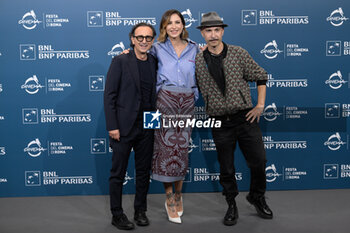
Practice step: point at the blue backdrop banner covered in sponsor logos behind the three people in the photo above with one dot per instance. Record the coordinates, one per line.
(54, 56)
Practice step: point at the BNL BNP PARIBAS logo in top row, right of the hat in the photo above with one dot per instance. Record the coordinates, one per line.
(267, 17)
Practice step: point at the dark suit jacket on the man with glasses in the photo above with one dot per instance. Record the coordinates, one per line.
(122, 95)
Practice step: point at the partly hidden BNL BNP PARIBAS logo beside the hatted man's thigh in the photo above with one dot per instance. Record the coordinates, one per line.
(269, 144)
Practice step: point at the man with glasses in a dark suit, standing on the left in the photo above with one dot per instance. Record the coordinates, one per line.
(130, 90)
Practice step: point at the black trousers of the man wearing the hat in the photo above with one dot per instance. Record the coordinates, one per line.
(248, 135)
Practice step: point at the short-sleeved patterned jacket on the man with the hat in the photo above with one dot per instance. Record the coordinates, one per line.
(239, 68)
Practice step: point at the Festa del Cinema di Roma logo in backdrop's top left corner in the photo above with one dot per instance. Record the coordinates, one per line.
(29, 20)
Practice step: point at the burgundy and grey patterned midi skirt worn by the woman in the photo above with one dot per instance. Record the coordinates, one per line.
(170, 156)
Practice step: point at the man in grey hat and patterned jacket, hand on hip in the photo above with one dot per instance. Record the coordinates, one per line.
(223, 72)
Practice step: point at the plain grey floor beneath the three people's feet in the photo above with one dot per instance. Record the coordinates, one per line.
(294, 211)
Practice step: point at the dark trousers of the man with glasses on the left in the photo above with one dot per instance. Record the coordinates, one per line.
(142, 141)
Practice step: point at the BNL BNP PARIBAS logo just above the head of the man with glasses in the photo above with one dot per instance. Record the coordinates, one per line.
(114, 19)
